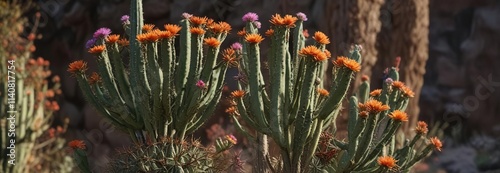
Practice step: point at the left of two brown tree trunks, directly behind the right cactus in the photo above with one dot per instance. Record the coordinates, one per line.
(353, 22)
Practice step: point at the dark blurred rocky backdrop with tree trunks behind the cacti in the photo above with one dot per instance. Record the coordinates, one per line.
(449, 51)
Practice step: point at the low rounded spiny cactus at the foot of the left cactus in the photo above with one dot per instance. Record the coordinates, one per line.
(170, 155)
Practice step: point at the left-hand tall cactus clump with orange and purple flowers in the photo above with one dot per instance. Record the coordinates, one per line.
(164, 92)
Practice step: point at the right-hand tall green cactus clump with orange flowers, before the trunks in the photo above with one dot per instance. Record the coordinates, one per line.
(294, 109)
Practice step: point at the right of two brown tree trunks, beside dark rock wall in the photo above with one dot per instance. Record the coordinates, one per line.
(410, 40)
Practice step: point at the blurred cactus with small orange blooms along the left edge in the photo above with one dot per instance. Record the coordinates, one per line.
(38, 146)
